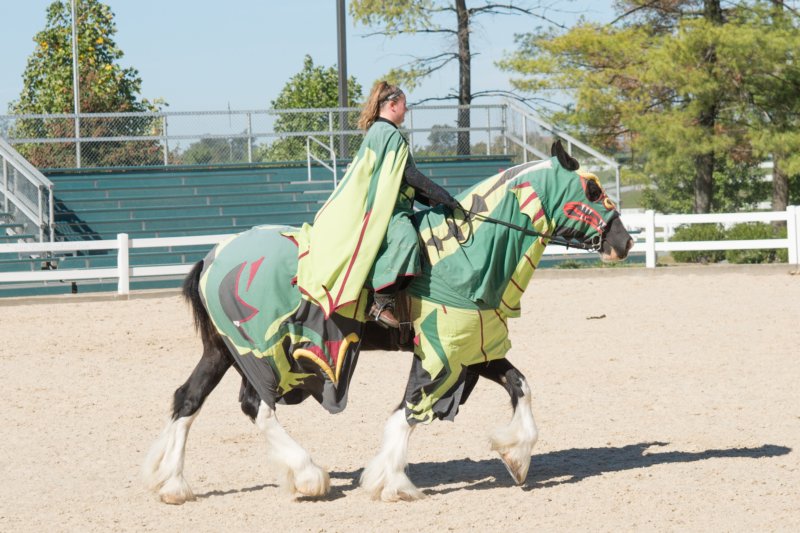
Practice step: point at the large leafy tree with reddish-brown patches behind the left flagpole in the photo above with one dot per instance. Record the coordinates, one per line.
(104, 86)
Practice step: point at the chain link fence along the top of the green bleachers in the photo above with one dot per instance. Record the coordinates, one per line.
(225, 137)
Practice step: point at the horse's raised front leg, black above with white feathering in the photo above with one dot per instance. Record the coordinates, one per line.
(514, 441)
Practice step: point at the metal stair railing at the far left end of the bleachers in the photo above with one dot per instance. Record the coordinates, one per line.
(26, 193)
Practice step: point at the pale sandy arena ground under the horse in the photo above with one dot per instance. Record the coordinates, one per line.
(678, 410)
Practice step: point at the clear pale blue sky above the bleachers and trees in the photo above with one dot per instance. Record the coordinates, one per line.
(201, 55)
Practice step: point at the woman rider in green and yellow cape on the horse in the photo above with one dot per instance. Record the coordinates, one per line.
(363, 235)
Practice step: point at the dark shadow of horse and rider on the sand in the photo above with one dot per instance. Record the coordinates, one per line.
(547, 470)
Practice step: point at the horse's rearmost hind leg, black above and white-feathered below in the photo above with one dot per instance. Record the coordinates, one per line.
(162, 470)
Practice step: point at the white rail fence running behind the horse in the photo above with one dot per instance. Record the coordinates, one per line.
(645, 227)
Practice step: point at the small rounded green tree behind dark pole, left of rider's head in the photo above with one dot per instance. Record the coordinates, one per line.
(312, 88)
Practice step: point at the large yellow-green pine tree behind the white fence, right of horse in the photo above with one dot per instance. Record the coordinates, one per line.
(670, 79)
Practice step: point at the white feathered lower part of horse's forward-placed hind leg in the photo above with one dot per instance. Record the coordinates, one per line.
(303, 476)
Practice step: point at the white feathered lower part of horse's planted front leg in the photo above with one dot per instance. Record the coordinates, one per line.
(384, 477)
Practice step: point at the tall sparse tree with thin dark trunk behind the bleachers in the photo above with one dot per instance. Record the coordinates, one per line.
(450, 18)
